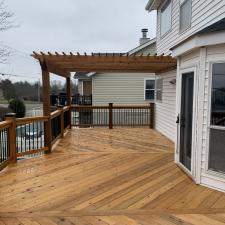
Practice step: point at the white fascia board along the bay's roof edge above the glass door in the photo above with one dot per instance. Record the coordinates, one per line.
(199, 41)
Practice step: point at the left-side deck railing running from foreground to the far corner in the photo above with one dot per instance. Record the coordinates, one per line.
(27, 137)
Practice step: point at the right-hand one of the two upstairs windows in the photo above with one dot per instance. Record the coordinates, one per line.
(185, 15)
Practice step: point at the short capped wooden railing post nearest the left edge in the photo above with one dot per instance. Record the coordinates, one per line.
(12, 136)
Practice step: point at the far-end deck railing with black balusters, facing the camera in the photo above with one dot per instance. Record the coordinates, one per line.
(111, 116)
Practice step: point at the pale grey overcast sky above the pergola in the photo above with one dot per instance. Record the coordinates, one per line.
(72, 25)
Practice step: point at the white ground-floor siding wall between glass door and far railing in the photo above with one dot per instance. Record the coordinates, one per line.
(165, 119)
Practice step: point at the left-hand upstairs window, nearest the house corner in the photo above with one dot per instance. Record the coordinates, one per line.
(166, 17)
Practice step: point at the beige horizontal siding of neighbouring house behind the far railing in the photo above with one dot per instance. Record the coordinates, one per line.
(120, 88)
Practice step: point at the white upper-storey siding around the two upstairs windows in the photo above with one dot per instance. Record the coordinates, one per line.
(204, 13)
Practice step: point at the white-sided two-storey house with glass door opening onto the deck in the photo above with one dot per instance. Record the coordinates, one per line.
(193, 31)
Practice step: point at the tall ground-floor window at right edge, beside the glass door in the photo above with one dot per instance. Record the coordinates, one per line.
(217, 128)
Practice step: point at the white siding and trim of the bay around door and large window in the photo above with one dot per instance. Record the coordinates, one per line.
(201, 59)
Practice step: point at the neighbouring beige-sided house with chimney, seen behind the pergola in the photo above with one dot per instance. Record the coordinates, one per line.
(121, 88)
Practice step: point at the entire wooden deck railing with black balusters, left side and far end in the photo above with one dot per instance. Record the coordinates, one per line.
(33, 136)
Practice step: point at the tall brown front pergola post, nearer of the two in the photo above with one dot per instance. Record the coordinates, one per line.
(46, 104)
